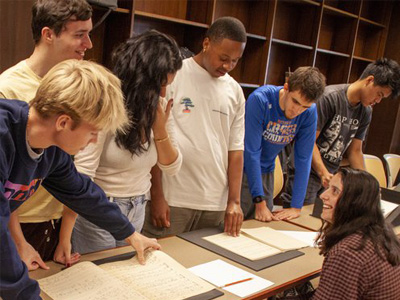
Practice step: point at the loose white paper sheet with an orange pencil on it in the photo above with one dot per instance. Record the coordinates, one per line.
(220, 273)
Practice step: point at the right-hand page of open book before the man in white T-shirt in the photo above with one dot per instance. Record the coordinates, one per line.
(274, 238)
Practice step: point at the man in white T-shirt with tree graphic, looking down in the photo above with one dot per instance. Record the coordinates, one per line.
(209, 117)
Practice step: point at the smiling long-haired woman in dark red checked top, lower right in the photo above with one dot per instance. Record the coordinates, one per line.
(362, 253)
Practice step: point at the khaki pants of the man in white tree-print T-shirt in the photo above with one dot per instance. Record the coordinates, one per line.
(182, 220)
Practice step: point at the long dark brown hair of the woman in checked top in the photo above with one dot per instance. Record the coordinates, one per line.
(358, 211)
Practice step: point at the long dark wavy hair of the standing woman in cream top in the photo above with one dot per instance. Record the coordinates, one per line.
(143, 63)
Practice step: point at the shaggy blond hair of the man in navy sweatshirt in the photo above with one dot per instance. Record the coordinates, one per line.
(85, 91)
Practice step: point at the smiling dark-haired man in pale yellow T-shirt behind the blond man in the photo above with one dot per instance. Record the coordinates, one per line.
(60, 31)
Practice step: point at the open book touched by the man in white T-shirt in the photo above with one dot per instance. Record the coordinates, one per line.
(256, 243)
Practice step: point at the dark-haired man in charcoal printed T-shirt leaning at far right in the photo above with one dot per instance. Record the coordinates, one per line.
(344, 114)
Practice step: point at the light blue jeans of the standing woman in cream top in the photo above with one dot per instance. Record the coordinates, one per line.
(88, 237)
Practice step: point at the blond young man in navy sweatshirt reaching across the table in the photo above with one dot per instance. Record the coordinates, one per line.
(74, 101)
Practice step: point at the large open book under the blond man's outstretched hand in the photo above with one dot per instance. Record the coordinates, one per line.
(161, 278)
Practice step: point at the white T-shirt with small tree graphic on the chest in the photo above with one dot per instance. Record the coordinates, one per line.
(209, 122)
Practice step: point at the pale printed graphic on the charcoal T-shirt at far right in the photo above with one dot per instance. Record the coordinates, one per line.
(332, 143)
